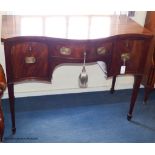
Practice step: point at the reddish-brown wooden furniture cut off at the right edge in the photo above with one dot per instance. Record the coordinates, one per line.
(149, 74)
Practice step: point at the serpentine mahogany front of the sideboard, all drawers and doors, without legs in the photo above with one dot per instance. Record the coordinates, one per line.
(37, 57)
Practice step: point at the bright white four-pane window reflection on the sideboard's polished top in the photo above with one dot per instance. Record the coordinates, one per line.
(71, 27)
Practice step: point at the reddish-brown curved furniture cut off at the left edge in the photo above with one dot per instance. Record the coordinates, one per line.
(2, 88)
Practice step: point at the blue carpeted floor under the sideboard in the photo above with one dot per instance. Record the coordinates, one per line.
(95, 117)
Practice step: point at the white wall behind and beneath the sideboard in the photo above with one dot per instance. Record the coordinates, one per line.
(65, 78)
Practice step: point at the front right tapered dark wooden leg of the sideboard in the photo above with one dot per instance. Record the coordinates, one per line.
(135, 90)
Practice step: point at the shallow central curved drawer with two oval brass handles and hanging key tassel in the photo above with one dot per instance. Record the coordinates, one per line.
(75, 49)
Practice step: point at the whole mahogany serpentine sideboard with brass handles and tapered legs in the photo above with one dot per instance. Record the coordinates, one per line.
(124, 50)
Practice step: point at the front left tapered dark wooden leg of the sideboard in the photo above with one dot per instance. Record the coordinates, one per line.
(12, 106)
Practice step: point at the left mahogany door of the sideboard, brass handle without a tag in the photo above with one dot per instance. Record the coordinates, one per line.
(29, 60)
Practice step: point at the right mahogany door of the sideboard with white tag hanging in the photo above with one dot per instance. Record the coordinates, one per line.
(130, 53)
